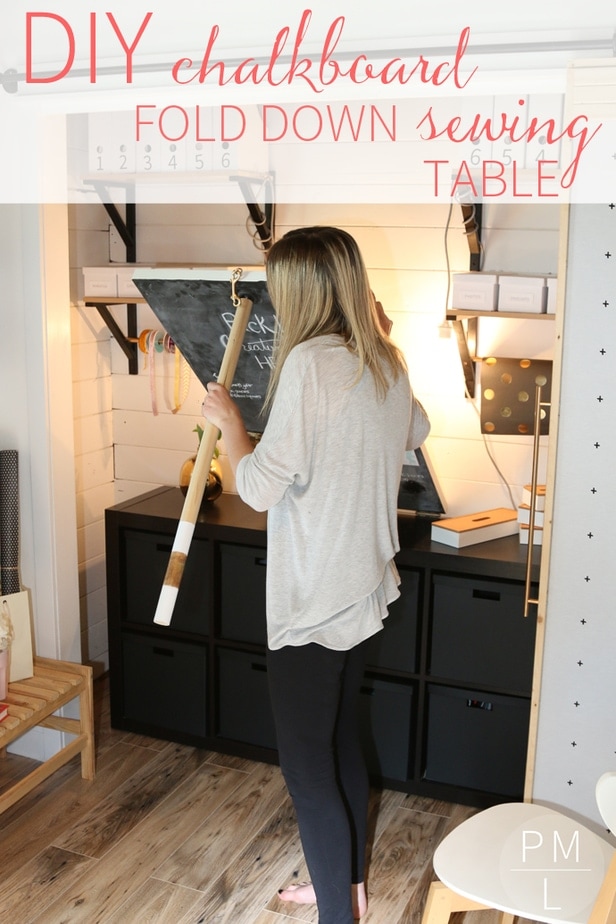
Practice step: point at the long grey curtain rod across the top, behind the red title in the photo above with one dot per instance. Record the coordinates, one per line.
(11, 78)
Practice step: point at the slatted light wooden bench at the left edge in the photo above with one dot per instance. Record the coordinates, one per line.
(32, 702)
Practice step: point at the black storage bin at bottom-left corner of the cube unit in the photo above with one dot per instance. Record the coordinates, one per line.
(165, 683)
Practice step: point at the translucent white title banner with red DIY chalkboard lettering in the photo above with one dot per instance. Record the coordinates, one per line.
(323, 103)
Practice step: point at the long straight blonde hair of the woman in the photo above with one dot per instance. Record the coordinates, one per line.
(318, 284)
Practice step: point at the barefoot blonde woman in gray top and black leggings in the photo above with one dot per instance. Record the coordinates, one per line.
(327, 469)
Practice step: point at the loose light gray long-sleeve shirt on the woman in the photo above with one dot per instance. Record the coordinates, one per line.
(327, 470)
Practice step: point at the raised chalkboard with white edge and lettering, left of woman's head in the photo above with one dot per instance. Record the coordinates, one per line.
(195, 308)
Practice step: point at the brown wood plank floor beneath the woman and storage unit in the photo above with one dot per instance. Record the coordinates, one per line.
(168, 834)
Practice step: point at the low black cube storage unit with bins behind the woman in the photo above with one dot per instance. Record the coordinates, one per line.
(445, 701)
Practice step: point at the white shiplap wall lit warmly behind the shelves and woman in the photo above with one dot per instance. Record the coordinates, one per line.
(404, 249)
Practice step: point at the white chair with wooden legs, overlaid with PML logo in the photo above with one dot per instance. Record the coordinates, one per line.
(528, 861)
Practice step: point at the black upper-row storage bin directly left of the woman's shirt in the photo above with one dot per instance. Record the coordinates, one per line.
(242, 593)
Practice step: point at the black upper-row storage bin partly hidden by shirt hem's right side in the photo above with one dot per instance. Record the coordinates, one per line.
(395, 647)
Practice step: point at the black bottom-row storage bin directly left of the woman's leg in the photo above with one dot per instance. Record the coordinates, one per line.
(244, 711)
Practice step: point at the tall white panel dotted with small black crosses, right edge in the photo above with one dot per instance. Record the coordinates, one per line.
(576, 740)
